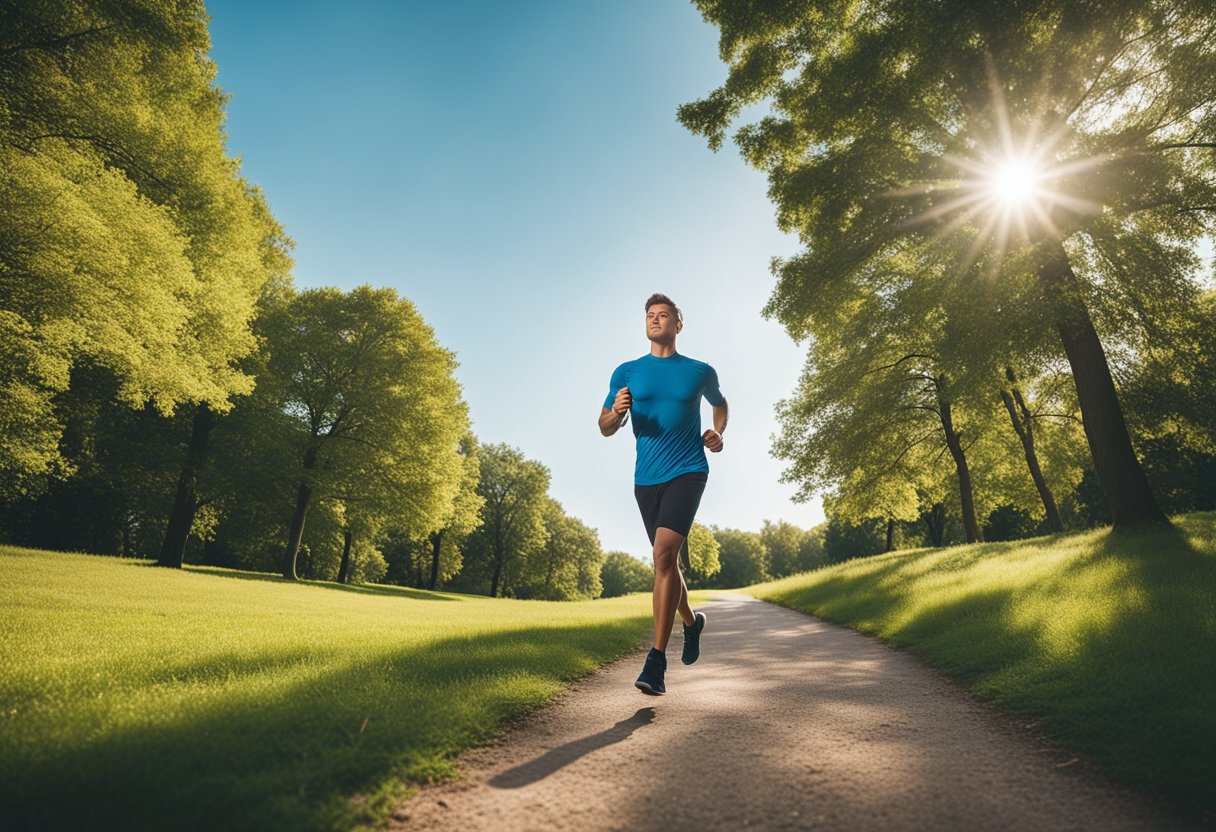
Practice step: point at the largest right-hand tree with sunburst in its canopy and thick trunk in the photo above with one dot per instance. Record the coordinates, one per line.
(886, 131)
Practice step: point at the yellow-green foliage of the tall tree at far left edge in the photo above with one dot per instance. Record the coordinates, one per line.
(128, 239)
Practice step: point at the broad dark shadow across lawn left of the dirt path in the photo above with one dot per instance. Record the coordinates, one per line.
(284, 755)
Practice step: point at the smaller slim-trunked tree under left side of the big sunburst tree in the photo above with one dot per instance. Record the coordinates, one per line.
(876, 412)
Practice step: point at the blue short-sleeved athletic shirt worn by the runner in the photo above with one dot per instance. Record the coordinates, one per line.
(667, 414)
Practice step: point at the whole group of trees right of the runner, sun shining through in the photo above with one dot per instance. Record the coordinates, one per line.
(979, 367)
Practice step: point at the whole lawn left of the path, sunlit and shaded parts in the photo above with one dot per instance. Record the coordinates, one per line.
(134, 698)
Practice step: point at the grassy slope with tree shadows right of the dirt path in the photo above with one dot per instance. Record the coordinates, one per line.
(1110, 642)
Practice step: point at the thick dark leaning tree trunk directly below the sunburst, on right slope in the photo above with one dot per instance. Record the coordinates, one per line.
(1114, 460)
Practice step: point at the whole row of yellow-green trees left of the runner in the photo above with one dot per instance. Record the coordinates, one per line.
(166, 391)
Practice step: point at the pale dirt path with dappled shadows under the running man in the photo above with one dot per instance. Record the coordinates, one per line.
(787, 723)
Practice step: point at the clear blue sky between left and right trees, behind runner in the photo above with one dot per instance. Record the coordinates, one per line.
(516, 170)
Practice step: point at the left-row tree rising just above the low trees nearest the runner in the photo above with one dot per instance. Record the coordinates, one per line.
(514, 531)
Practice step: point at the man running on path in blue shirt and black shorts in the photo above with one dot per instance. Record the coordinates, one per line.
(663, 391)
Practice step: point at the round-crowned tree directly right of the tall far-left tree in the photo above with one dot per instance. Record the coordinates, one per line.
(376, 409)
